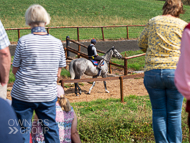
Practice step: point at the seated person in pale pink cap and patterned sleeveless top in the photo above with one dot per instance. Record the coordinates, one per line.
(65, 118)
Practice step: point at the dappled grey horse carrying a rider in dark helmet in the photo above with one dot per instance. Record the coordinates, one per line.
(81, 66)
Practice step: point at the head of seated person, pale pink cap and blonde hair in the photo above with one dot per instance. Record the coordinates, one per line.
(63, 102)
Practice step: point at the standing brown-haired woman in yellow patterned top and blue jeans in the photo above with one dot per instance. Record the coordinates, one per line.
(161, 40)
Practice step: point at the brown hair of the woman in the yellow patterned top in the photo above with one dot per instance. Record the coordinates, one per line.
(173, 7)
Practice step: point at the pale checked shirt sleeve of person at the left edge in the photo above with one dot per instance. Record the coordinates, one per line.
(4, 40)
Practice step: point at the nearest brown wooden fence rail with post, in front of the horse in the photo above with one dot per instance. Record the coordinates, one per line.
(121, 78)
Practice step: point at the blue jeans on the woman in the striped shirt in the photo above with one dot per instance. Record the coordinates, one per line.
(46, 112)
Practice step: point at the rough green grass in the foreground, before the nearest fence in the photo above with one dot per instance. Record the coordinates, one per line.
(111, 121)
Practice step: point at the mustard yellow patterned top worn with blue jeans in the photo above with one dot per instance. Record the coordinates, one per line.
(161, 40)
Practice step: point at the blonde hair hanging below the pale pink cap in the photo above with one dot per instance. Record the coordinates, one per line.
(64, 103)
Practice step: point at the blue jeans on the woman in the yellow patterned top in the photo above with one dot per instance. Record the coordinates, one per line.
(166, 104)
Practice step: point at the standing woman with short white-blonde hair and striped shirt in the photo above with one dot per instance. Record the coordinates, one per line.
(38, 60)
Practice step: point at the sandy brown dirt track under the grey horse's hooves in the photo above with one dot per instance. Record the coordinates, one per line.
(131, 87)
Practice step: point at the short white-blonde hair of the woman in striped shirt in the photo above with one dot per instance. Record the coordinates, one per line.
(37, 14)
